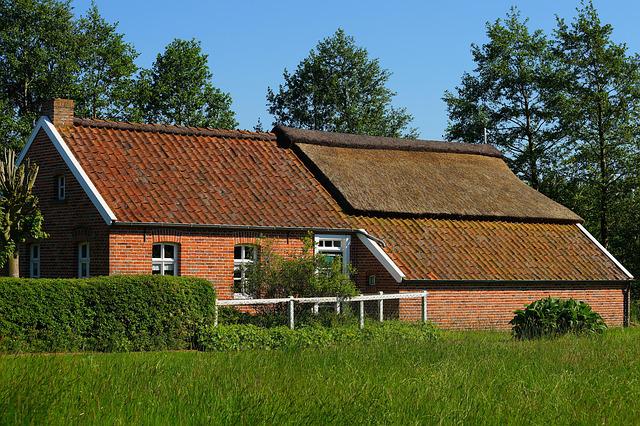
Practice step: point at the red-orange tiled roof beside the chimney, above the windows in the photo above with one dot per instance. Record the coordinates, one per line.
(169, 174)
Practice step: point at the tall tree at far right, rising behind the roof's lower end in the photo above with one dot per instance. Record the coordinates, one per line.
(600, 113)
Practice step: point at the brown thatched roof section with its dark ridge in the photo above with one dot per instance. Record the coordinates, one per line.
(410, 177)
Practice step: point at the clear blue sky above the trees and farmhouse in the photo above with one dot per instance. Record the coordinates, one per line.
(425, 44)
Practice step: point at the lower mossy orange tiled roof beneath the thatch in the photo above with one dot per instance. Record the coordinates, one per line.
(490, 250)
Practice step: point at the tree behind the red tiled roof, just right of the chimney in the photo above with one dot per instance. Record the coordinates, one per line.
(178, 90)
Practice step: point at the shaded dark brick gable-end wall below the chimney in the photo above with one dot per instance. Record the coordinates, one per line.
(67, 222)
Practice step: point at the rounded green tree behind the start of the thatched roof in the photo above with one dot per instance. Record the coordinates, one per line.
(339, 88)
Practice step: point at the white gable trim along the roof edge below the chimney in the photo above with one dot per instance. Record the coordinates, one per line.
(73, 164)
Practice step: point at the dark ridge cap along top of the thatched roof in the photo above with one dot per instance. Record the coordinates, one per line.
(289, 135)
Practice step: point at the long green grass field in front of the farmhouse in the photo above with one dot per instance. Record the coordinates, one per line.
(470, 377)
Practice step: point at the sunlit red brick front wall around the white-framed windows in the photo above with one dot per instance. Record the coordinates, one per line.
(202, 253)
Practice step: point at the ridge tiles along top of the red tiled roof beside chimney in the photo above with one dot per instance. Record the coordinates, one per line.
(173, 129)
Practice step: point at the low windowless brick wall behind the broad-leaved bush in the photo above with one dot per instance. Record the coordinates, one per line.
(467, 306)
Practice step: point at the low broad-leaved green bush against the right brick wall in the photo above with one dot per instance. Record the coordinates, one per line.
(551, 317)
